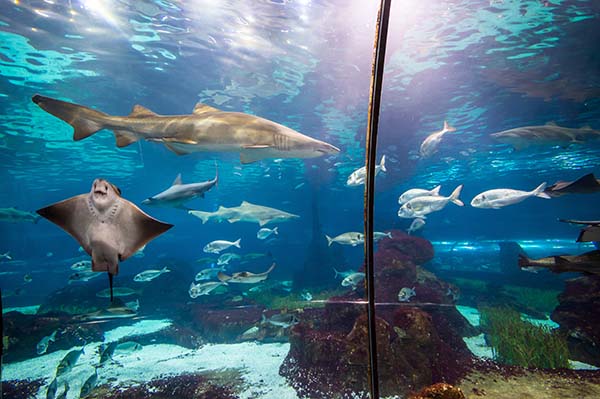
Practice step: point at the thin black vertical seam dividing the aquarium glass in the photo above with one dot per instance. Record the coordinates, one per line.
(371, 152)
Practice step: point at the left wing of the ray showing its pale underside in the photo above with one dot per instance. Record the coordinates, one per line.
(73, 216)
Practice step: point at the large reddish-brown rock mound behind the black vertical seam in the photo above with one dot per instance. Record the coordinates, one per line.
(419, 340)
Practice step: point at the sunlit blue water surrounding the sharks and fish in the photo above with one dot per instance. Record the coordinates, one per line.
(482, 66)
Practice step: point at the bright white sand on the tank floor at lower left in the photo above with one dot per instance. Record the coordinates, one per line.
(259, 364)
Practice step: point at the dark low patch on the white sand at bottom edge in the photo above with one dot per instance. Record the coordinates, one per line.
(186, 386)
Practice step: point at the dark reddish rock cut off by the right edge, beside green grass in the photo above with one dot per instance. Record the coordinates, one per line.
(578, 314)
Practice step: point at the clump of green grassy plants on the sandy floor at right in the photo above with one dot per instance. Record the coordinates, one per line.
(520, 343)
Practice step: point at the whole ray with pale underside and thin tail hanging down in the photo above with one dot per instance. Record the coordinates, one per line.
(107, 226)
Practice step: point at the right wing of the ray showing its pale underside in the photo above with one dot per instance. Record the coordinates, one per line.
(136, 228)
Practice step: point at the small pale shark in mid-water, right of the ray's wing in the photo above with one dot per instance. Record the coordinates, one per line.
(245, 212)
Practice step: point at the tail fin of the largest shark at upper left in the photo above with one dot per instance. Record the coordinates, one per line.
(85, 121)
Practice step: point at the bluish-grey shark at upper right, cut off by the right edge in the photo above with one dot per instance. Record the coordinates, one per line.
(545, 135)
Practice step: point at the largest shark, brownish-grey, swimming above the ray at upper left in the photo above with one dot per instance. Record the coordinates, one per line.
(205, 129)
